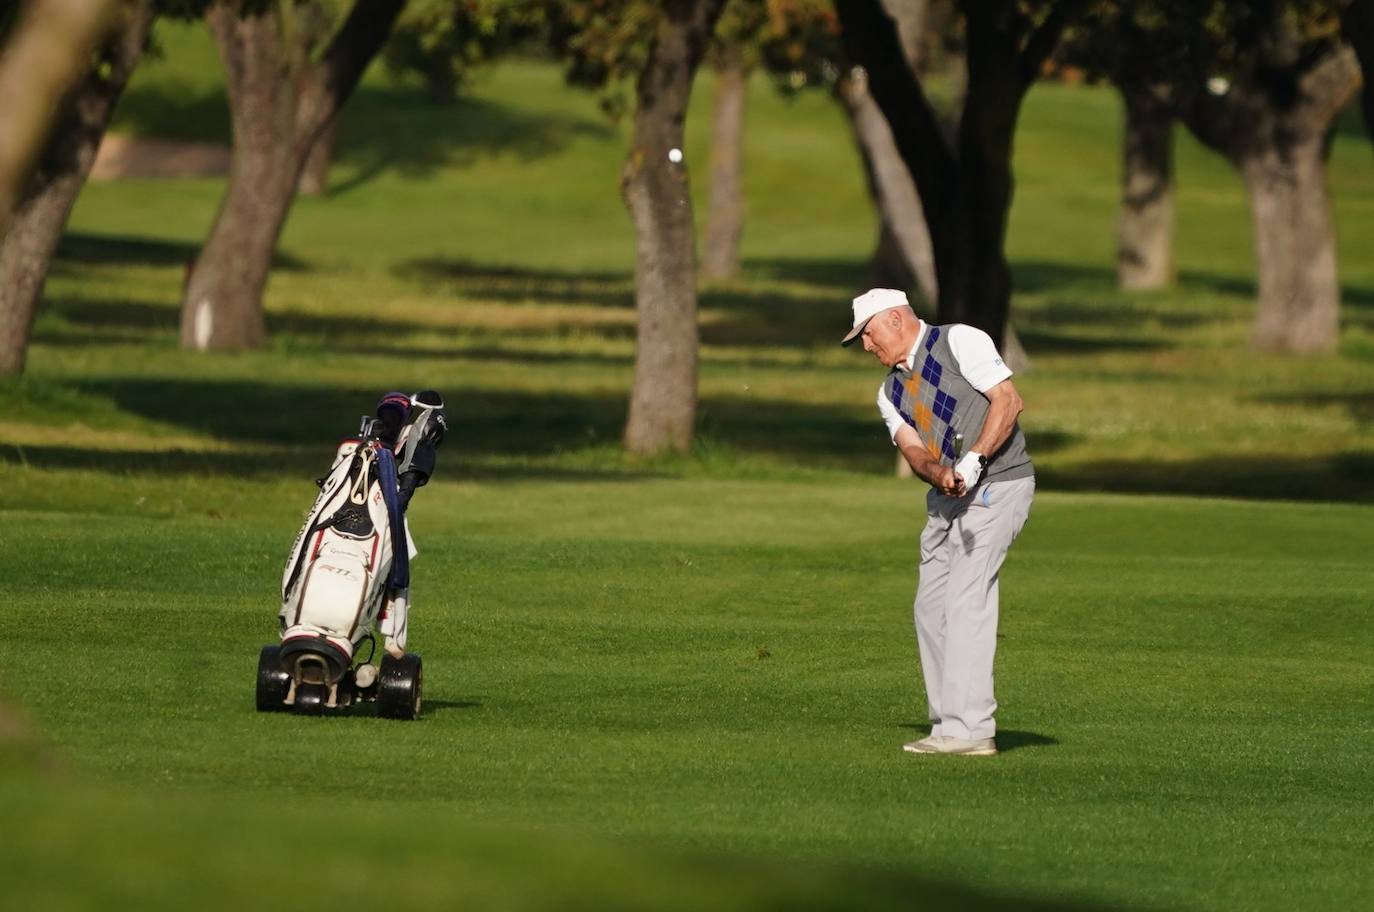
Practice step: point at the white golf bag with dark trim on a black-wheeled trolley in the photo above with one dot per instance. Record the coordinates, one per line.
(348, 576)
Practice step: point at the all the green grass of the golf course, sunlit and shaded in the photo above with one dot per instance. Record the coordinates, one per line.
(679, 683)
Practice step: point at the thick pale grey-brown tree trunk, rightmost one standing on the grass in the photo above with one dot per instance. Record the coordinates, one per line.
(1295, 248)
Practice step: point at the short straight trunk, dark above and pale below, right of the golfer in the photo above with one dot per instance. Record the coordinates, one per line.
(1145, 233)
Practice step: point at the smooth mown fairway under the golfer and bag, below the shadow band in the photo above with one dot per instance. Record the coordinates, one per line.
(708, 665)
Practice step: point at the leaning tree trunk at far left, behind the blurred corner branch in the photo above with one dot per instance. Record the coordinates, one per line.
(38, 222)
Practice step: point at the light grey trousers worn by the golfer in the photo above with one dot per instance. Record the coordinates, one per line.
(962, 549)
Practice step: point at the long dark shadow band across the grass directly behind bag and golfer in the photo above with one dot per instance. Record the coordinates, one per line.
(303, 424)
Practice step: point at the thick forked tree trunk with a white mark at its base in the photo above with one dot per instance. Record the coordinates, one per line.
(281, 102)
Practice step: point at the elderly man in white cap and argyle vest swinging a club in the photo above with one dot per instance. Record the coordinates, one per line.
(947, 385)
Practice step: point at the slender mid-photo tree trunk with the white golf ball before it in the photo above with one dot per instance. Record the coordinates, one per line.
(663, 404)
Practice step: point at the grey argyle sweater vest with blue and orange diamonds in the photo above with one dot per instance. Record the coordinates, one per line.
(938, 403)
